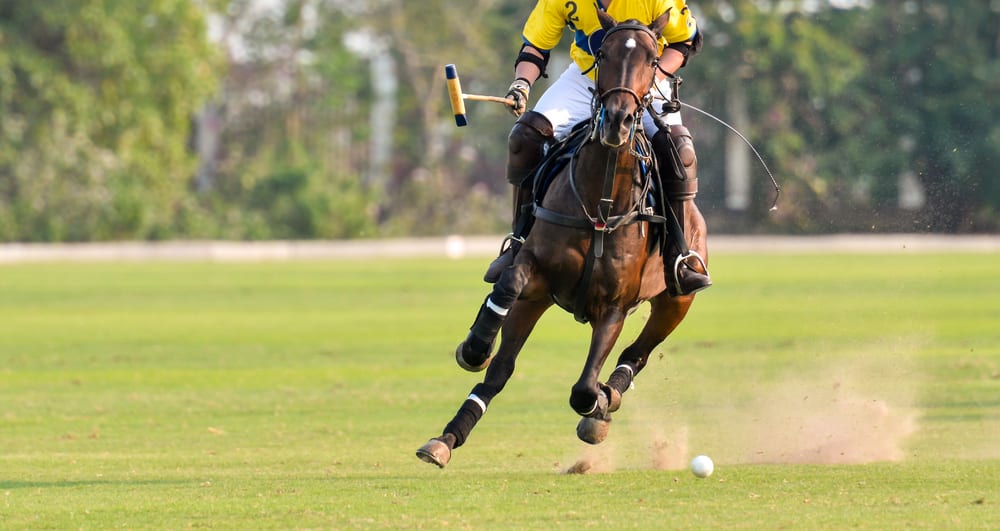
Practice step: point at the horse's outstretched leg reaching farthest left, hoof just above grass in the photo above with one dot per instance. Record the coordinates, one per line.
(522, 319)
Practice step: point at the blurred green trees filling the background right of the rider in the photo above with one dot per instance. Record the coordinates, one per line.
(844, 101)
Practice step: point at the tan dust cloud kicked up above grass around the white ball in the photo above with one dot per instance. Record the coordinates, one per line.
(849, 412)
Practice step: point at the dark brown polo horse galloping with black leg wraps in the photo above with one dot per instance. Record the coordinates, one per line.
(600, 266)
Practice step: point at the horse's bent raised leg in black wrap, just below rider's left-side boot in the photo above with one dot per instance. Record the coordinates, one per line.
(473, 354)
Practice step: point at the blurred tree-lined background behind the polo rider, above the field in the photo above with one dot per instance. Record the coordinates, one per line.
(329, 119)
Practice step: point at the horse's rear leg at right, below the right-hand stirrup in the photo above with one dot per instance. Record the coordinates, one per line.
(667, 312)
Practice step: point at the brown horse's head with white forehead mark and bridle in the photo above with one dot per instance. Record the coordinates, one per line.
(626, 71)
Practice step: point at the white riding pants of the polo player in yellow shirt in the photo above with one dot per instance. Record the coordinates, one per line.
(567, 102)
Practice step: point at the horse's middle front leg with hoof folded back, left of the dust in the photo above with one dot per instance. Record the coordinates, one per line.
(588, 397)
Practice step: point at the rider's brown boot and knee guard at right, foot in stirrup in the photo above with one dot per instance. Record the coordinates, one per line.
(678, 169)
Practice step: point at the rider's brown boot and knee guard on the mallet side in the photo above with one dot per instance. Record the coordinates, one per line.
(526, 147)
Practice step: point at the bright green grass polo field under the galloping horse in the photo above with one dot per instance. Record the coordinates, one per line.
(833, 391)
